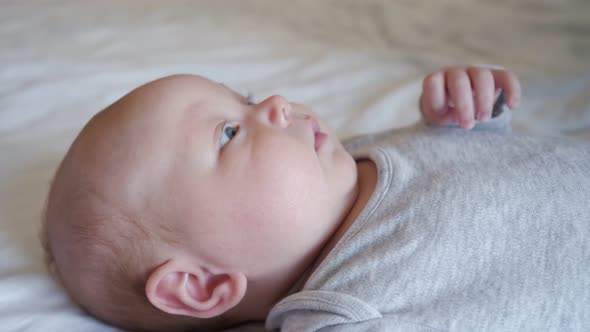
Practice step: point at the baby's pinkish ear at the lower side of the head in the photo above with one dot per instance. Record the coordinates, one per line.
(182, 289)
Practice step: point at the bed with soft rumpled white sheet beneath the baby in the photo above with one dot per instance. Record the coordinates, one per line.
(357, 63)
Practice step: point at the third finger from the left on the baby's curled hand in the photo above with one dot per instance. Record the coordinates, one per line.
(482, 81)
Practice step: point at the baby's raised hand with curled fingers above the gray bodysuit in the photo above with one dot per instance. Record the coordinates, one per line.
(465, 95)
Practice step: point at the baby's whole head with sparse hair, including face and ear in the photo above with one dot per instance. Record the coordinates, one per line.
(183, 204)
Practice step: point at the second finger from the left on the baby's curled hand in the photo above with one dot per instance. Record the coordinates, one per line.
(459, 88)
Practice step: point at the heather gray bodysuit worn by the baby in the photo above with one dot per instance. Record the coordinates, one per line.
(466, 231)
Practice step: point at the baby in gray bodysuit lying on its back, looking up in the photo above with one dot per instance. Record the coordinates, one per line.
(185, 205)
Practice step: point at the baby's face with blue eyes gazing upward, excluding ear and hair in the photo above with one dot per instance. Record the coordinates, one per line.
(260, 185)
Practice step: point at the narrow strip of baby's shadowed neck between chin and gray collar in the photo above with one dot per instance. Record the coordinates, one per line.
(367, 180)
